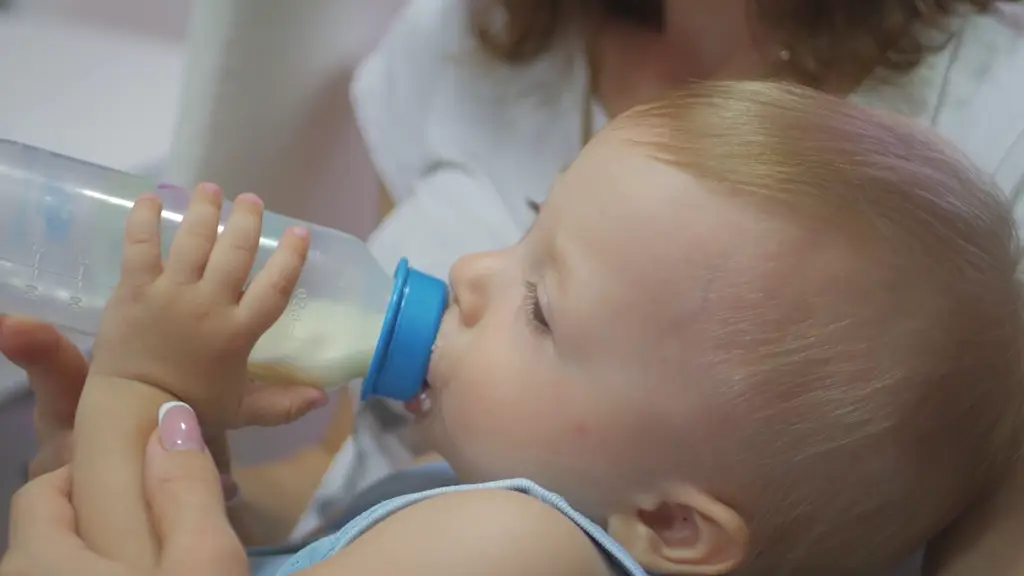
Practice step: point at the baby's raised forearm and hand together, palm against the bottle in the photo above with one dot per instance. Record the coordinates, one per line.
(183, 331)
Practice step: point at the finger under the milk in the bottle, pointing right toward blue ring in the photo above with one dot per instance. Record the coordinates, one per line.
(274, 405)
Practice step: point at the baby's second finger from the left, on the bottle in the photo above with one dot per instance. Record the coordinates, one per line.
(196, 237)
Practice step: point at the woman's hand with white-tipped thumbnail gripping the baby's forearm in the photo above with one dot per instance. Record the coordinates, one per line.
(187, 507)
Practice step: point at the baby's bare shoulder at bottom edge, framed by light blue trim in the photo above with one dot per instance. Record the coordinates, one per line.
(493, 532)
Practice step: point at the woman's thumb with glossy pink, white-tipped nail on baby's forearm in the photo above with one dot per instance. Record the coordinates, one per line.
(185, 493)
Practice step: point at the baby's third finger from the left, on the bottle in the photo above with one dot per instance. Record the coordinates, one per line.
(233, 257)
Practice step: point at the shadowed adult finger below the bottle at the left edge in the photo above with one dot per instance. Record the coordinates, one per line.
(56, 367)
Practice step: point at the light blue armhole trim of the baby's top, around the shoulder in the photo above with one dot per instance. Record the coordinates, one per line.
(283, 565)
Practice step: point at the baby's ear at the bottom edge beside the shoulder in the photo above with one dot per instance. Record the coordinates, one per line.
(684, 531)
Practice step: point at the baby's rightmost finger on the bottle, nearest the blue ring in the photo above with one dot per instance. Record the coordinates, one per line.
(269, 295)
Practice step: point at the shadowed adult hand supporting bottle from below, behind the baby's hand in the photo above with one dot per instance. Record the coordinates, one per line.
(57, 372)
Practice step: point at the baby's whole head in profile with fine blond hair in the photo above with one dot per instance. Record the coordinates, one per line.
(756, 328)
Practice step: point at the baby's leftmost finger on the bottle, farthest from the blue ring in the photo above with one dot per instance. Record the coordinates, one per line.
(141, 264)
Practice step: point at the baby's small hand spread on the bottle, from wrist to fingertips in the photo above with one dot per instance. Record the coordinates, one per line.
(188, 325)
